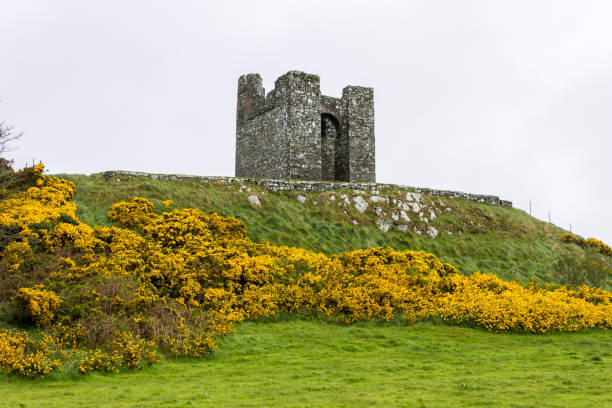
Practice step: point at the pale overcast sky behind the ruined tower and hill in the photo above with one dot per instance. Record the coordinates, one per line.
(505, 98)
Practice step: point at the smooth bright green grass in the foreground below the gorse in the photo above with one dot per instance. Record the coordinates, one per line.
(310, 363)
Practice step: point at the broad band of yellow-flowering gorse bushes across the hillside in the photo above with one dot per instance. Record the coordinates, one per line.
(175, 282)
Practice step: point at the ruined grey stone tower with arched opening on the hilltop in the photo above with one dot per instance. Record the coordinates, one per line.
(294, 132)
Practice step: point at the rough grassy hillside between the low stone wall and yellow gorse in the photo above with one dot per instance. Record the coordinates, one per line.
(504, 241)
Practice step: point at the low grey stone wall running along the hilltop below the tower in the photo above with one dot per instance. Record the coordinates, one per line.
(316, 186)
